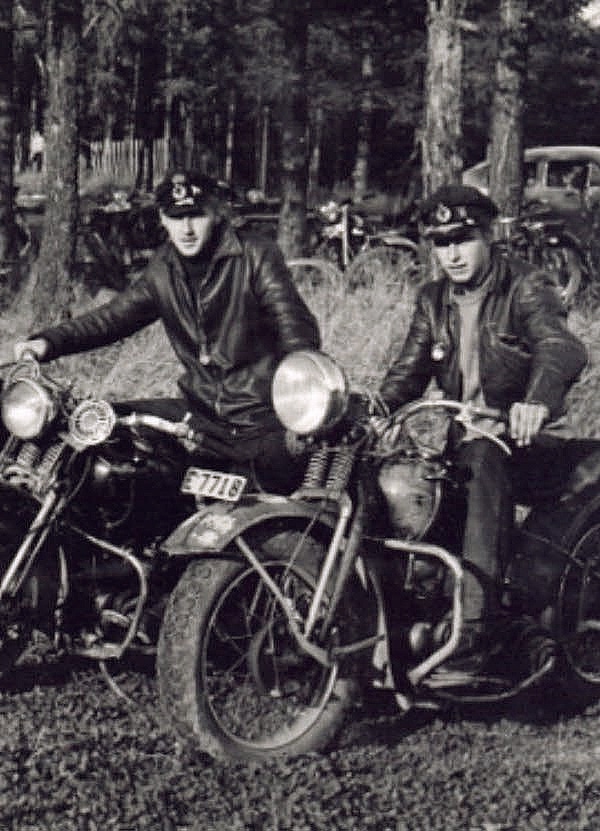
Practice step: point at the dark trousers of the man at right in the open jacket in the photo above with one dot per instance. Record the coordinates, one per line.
(551, 469)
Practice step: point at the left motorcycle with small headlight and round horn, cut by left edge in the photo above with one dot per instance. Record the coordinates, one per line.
(87, 497)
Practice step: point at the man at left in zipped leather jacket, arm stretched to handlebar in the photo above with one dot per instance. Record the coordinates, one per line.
(231, 312)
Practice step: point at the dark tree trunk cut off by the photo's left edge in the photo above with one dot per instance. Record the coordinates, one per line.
(8, 240)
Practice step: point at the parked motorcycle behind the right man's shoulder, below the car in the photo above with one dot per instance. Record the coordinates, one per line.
(545, 240)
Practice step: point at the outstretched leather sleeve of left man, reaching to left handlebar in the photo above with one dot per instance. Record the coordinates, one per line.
(122, 316)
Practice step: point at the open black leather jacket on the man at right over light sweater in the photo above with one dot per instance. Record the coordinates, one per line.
(526, 352)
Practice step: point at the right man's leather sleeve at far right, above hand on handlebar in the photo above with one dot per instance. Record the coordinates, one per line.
(557, 355)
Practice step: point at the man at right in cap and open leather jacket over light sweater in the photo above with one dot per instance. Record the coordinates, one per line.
(491, 332)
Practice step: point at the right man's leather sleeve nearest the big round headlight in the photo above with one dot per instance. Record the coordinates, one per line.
(411, 371)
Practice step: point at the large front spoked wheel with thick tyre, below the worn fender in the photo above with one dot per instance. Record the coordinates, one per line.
(230, 669)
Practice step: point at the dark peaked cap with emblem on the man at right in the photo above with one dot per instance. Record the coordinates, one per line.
(453, 207)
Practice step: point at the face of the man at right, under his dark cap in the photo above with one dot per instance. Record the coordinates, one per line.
(464, 254)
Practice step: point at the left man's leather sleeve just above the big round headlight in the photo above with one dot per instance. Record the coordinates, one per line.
(285, 312)
